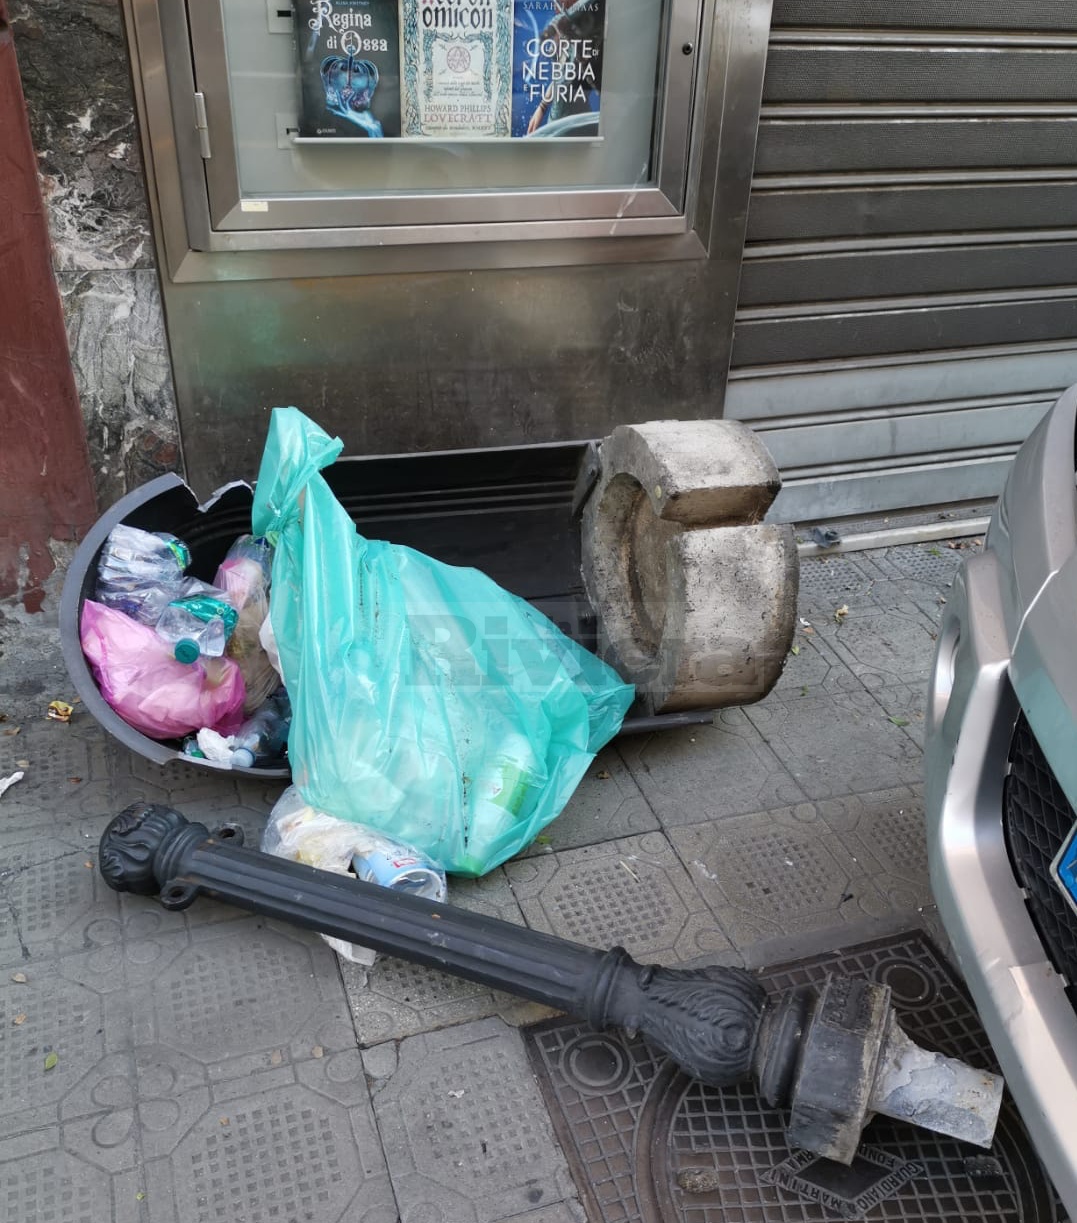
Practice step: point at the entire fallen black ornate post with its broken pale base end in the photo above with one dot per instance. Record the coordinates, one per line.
(833, 1057)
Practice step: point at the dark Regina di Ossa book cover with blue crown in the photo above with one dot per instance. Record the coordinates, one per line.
(349, 69)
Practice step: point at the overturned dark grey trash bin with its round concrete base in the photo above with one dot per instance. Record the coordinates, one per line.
(540, 522)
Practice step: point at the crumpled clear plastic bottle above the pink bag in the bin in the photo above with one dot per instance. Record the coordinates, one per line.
(140, 573)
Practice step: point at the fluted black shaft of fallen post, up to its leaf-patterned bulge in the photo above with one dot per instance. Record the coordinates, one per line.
(152, 849)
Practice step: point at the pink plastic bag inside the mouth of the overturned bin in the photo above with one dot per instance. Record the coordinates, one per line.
(149, 688)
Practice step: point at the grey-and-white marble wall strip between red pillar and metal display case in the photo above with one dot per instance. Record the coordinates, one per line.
(75, 74)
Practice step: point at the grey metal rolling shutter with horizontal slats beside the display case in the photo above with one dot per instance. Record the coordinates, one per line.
(909, 297)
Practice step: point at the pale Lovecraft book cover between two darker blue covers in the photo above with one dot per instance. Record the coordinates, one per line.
(458, 68)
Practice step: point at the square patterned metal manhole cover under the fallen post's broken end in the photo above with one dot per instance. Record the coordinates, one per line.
(650, 1145)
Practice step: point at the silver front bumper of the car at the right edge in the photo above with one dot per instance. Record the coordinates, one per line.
(994, 657)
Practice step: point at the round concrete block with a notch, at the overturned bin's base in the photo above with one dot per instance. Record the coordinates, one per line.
(695, 611)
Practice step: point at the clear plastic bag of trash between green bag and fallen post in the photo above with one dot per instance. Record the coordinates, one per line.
(299, 832)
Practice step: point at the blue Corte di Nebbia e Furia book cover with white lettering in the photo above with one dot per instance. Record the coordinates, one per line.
(557, 76)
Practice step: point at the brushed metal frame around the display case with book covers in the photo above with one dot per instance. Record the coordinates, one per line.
(697, 206)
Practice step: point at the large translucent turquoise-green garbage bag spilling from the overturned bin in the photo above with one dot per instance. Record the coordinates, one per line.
(427, 703)
